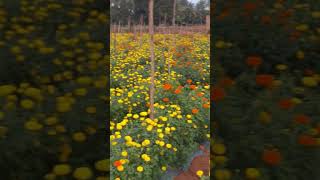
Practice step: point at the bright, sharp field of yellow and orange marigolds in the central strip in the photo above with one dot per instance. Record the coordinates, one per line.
(142, 148)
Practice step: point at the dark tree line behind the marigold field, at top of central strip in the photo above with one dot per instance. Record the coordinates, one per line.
(130, 11)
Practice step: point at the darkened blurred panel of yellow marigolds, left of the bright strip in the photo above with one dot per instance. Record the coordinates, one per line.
(52, 90)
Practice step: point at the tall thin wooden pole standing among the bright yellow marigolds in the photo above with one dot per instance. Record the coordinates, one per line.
(151, 32)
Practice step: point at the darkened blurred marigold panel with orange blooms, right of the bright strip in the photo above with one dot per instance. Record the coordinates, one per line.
(266, 90)
